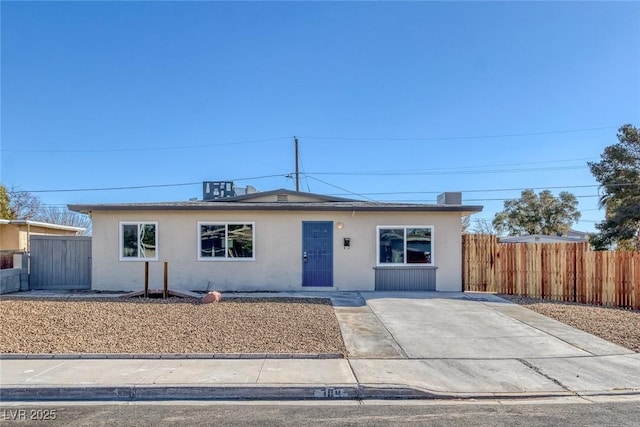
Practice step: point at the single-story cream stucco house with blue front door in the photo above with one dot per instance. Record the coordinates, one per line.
(279, 240)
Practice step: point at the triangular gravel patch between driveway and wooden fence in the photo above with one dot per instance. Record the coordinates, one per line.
(613, 324)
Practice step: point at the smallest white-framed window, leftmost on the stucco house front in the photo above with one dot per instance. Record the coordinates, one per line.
(138, 241)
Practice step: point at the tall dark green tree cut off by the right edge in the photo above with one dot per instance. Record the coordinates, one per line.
(618, 173)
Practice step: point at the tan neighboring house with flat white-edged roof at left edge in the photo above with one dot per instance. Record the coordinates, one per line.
(14, 234)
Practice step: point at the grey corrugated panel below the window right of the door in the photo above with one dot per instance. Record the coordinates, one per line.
(405, 278)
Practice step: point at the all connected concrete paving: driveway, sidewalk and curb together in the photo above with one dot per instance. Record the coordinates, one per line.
(401, 345)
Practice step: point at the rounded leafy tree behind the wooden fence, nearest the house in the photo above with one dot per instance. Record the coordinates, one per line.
(537, 214)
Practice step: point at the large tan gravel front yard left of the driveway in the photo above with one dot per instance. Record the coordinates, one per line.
(174, 325)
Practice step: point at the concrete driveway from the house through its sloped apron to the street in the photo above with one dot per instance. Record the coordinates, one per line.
(477, 344)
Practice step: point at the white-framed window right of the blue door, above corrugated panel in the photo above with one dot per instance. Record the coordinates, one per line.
(405, 245)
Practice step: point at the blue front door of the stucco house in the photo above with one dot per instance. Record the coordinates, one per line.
(317, 253)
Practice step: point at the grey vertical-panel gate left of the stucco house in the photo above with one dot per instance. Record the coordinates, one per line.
(60, 262)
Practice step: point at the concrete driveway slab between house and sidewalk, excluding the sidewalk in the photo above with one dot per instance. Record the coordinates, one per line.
(436, 325)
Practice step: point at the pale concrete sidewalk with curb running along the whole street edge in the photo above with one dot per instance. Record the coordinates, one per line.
(278, 379)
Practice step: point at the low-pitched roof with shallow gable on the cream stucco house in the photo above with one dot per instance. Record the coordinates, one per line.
(278, 200)
